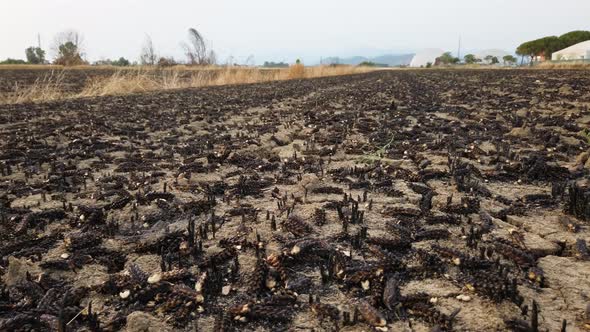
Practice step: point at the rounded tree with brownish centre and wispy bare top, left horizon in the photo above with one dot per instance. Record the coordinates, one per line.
(68, 47)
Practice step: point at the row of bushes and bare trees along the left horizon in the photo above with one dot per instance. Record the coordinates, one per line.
(69, 50)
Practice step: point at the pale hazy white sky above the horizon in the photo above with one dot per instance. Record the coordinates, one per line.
(283, 30)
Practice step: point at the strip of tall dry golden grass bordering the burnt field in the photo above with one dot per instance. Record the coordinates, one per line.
(136, 80)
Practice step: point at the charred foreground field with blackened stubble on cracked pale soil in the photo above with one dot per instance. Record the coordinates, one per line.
(398, 200)
